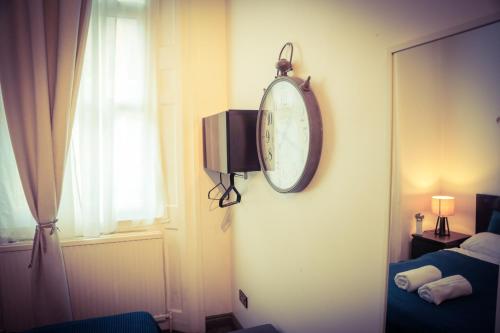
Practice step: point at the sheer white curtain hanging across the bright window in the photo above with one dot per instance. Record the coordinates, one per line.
(113, 172)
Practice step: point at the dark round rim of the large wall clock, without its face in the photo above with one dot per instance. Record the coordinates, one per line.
(315, 135)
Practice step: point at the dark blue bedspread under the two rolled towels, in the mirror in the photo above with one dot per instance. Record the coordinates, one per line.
(407, 312)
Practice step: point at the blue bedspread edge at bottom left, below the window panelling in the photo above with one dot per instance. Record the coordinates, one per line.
(134, 322)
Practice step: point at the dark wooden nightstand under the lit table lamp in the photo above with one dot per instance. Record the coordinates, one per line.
(428, 242)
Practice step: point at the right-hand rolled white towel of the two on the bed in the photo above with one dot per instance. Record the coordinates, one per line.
(450, 287)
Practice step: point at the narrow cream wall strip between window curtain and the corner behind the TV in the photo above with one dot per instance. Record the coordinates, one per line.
(193, 52)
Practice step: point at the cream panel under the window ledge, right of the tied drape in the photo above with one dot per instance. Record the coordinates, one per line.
(114, 278)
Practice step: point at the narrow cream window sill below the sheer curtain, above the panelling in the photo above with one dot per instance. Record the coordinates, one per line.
(81, 241)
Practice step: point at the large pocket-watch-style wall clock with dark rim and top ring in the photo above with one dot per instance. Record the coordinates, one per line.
(289, 130)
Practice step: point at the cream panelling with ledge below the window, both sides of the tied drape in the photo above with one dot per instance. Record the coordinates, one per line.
(106, 276)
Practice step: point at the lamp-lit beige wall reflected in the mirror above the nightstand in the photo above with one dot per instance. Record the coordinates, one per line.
(446, 139)
